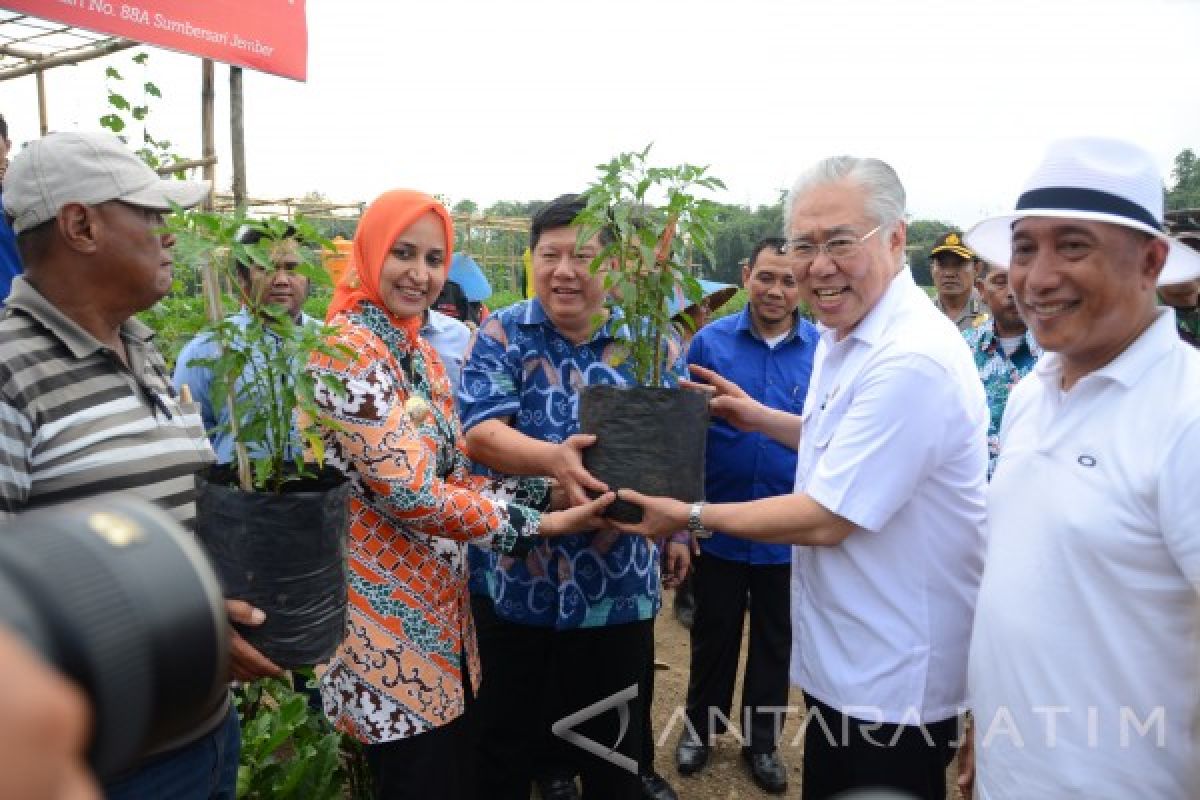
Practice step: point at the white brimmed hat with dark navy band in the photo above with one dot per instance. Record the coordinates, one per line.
(1095, 179)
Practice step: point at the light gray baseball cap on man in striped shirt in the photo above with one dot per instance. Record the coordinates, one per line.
(89, 169)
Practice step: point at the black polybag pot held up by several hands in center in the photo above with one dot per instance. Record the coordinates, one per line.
(651, 441)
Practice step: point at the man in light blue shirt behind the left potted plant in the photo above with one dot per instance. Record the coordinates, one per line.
(284, 288)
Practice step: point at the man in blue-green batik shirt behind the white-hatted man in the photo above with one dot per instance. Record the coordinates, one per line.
(1004, 351)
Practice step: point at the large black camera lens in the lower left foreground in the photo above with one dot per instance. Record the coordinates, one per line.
(122, 600)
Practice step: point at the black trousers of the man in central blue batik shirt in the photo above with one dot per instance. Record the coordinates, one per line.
(537, 676)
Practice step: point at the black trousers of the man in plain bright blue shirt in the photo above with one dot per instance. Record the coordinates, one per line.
(722, 591)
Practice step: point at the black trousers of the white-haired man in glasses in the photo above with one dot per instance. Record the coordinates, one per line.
(844, 754)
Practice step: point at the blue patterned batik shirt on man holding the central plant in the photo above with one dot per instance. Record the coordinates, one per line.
(523, 369)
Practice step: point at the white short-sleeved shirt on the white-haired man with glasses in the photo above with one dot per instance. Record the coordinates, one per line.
(896, 441)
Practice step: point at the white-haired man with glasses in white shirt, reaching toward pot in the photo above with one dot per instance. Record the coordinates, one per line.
(889, 503)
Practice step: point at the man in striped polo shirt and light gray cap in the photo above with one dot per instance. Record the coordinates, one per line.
(86, 405)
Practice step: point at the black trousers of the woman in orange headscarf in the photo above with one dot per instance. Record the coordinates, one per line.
(439, 763)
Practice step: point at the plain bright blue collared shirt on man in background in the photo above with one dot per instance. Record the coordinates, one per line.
(741, 466)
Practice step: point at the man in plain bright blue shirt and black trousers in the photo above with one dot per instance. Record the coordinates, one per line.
(767, 350)
